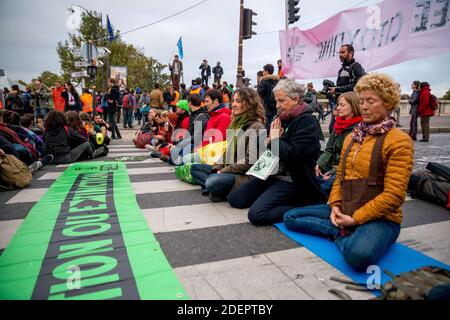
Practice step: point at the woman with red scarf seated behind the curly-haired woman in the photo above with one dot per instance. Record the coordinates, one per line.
(348, 116)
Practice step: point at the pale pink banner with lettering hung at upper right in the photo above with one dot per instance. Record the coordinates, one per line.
(385, 34)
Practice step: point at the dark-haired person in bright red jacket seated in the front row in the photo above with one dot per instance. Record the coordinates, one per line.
(220, 118)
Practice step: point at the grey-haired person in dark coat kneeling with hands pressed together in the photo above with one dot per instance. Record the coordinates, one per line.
(296, 134)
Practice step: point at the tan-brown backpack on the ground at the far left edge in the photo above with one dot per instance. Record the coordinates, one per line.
(14, 172)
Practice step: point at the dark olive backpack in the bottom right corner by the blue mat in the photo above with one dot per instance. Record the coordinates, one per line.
(415, 285)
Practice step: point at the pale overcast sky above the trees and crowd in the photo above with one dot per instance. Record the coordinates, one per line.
(30, 31)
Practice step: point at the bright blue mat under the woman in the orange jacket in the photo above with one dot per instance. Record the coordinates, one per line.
(397, 259)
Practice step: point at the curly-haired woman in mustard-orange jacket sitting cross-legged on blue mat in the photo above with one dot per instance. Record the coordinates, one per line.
(364, 213)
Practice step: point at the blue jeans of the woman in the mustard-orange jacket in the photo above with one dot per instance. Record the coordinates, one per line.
(361, 249)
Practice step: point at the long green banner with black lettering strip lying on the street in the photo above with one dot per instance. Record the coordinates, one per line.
(87, 239)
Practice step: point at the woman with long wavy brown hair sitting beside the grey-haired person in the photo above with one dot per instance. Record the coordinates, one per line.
(242, 148)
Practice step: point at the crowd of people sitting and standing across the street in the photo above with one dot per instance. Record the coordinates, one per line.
(351, 193)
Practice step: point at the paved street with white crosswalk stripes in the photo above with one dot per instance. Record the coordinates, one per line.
(215, 252)
